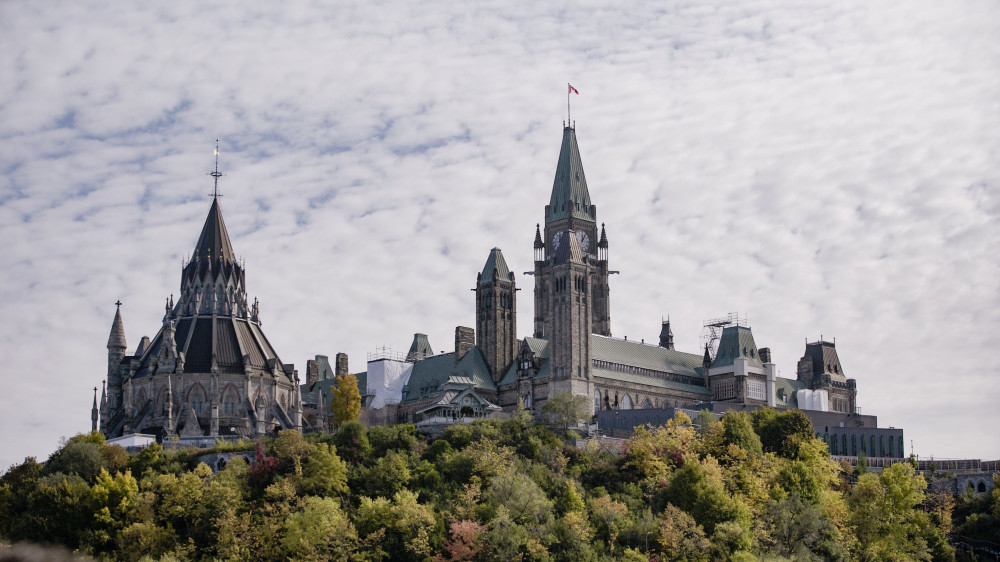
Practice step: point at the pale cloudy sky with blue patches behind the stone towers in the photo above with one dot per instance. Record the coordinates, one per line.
(825, 168)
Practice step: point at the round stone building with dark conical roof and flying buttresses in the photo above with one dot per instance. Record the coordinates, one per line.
(209, 371)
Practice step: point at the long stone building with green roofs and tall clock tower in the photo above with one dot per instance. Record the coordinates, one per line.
(572, 349)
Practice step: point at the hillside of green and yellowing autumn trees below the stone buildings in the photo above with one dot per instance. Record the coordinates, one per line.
(748, 487)
